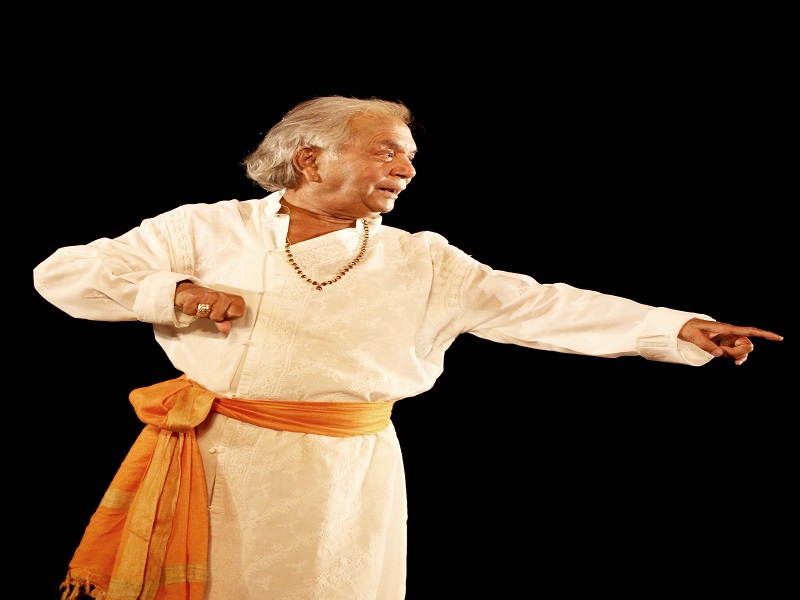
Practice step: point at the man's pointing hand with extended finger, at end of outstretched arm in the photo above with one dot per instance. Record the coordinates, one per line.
(722, 339)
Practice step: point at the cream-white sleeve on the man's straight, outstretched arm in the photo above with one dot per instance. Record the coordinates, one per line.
(516, 309)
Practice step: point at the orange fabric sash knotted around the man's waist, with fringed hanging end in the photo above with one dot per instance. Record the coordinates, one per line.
(139, 544)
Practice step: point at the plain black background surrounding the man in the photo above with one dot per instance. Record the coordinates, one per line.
(656, 171)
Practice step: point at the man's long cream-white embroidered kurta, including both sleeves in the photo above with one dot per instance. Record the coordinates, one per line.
(301, 516)
